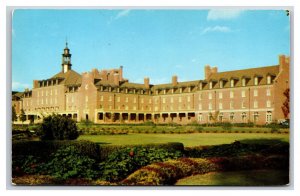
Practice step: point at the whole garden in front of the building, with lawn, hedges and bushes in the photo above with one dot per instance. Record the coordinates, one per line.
(255, 159)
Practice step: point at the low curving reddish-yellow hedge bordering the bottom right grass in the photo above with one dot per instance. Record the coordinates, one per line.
(167, 173)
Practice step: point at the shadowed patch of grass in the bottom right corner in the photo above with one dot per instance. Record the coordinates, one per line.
(239, 178)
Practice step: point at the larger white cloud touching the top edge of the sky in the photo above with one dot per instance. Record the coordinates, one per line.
(223, 14)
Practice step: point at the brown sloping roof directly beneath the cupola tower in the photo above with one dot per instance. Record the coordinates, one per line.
(69, 78)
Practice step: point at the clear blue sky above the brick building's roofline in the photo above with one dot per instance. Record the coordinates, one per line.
(148, 43)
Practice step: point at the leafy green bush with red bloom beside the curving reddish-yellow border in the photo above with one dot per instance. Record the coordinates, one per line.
(121, 163)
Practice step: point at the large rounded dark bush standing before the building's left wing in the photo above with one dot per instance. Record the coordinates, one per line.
(55, 127)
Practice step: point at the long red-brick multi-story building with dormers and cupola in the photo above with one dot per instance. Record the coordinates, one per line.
(249, 95)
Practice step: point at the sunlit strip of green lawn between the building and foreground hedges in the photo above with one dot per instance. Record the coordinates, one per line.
(194, 139)
